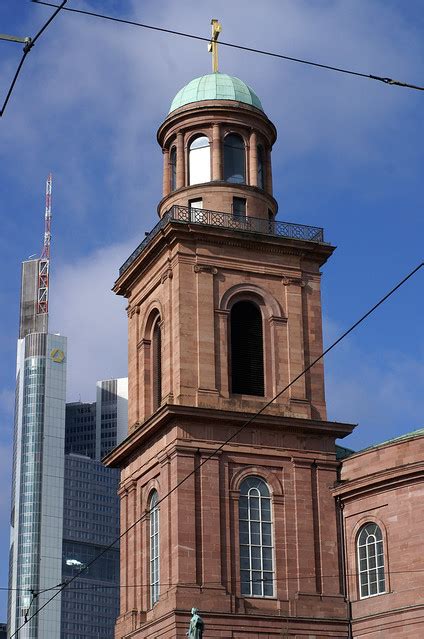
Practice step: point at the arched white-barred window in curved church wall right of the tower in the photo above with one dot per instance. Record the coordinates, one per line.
(371, 561)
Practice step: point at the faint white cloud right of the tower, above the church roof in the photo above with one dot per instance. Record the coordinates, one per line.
(373, 389)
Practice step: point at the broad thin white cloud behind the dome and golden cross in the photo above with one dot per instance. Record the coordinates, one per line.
(100, 89)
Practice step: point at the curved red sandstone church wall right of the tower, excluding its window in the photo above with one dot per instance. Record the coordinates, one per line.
(385, 485)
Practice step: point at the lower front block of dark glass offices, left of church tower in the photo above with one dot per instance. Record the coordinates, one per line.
(90, 524)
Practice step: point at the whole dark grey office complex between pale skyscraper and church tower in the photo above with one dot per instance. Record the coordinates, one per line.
(91, 512)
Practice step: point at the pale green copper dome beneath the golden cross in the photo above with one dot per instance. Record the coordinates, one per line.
(215, 86)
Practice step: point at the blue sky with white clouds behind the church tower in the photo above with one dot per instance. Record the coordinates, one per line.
(349, 157)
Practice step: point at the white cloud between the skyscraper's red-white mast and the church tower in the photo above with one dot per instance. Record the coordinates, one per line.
(93, 319)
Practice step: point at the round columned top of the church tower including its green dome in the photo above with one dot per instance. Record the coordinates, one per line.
(216, 143)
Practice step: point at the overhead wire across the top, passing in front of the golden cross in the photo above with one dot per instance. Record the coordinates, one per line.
(192, 36)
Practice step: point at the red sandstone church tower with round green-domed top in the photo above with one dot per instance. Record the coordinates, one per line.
(224, 310)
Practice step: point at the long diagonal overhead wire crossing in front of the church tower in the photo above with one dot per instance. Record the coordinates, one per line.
(227, 441)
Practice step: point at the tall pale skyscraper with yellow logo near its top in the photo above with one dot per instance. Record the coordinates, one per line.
(38, 467)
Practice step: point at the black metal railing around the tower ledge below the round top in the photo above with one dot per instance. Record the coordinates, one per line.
(188, 215)
